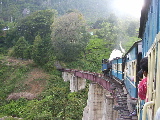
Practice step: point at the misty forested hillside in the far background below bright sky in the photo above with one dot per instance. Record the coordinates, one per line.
(13, 10)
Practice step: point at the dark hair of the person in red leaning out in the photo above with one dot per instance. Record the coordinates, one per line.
(144, 64)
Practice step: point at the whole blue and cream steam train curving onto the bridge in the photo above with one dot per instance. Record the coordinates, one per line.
(124, 69)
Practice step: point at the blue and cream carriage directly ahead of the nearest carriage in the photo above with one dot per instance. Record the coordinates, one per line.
(131, 60)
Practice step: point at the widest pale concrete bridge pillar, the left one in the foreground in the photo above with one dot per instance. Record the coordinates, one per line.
(93, 110)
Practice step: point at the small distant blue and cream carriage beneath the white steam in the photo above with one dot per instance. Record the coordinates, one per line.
(117, 71)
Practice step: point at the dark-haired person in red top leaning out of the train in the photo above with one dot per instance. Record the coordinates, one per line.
(142, 87)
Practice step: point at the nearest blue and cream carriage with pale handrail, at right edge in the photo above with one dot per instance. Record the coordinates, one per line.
(150, 33)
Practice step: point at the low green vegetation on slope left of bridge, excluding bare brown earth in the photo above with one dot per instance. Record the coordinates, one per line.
(55, 102)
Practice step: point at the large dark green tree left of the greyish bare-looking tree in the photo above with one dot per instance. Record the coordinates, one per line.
(36, 24)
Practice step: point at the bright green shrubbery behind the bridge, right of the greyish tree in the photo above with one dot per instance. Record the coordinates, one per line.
(95, 51)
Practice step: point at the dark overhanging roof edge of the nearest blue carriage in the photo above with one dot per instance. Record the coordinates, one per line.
(144, 17)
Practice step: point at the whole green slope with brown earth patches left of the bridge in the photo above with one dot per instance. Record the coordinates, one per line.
(29, 92)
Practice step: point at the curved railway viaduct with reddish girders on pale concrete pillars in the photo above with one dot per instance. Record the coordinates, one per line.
(101, 105)
